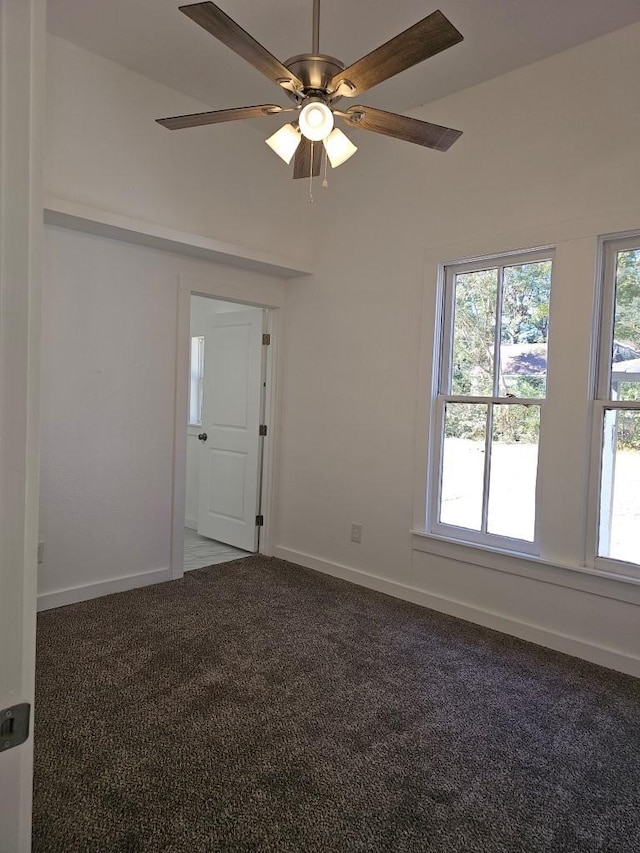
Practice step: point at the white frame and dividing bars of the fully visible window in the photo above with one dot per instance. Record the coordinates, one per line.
(443, 358)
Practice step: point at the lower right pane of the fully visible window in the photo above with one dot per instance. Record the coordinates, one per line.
(514, 469)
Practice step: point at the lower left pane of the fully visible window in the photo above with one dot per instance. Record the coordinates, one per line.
(463, 465)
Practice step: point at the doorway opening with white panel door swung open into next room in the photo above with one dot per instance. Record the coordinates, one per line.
(225, 432)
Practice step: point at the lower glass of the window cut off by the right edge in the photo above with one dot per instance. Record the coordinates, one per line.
(620, 489)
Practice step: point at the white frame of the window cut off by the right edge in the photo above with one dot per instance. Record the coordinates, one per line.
(602, 398)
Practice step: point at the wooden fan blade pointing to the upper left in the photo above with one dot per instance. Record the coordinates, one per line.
(225, 29)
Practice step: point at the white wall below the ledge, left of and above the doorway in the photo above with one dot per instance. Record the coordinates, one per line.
(108, 398)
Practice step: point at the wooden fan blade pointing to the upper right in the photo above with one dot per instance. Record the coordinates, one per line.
(429, 36)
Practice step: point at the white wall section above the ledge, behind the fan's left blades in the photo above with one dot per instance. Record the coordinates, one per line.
(105, 150)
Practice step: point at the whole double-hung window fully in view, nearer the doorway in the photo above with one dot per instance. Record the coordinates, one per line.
(490, 400)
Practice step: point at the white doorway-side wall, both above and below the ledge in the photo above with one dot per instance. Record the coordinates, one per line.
(109, 334)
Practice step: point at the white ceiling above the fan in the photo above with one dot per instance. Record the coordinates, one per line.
(153, 38)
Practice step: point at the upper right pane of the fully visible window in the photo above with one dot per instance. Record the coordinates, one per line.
(524, 328)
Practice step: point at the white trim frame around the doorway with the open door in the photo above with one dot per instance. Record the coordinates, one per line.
(187, 287)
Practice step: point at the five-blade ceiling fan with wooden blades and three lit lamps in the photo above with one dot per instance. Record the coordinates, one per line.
(316, 83)
